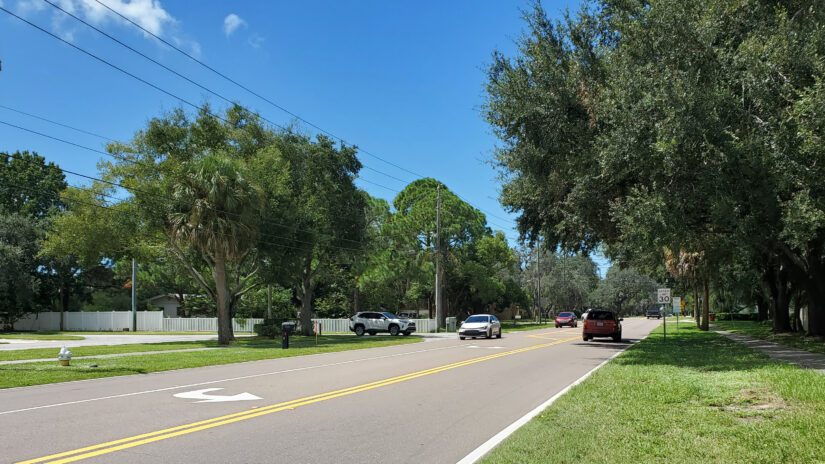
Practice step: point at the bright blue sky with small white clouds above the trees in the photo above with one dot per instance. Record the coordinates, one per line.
(402, 80)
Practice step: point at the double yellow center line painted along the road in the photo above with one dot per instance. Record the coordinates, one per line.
(146, 438)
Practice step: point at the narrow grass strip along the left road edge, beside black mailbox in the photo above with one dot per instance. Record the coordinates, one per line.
(248, 349)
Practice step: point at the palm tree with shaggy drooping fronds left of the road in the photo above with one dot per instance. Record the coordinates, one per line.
(216, 212)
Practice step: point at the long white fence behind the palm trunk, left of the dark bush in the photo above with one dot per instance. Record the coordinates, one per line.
(118, 321)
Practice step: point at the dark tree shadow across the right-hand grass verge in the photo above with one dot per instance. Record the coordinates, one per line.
(693, 349)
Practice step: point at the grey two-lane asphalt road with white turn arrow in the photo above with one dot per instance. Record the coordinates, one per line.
(433, 403)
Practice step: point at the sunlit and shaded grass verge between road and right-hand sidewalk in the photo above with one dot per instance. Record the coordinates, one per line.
(697, 397)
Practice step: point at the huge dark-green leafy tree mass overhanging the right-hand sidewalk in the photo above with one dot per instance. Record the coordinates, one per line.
(646, 126)
